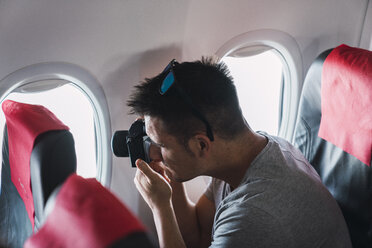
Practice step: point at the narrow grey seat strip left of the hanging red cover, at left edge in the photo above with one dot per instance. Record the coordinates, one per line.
(15, 226)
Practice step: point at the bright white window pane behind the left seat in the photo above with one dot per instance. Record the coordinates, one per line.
(74, 109)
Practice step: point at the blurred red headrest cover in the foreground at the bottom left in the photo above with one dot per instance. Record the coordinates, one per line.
(86, 214)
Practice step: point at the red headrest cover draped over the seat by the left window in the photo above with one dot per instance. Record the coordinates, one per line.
(24, 123)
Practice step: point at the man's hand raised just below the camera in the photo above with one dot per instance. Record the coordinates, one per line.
(153, 184)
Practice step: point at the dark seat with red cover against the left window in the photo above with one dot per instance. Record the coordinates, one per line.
(34, 145)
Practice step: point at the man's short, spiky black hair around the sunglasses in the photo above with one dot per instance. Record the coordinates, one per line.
(210, 88)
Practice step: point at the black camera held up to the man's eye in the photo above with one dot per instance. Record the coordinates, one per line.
(133, 143)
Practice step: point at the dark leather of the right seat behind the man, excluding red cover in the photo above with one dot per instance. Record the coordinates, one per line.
(347, 178)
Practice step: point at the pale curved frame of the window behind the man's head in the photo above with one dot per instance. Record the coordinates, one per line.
(288, 51)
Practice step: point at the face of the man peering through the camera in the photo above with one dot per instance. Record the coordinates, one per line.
(180, 165)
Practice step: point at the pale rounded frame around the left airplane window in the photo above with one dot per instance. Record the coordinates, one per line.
(89, 86)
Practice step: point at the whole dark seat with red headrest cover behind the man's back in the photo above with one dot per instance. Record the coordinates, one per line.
(347, 178)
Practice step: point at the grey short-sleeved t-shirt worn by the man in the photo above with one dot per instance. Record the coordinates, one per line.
(281, 202)
